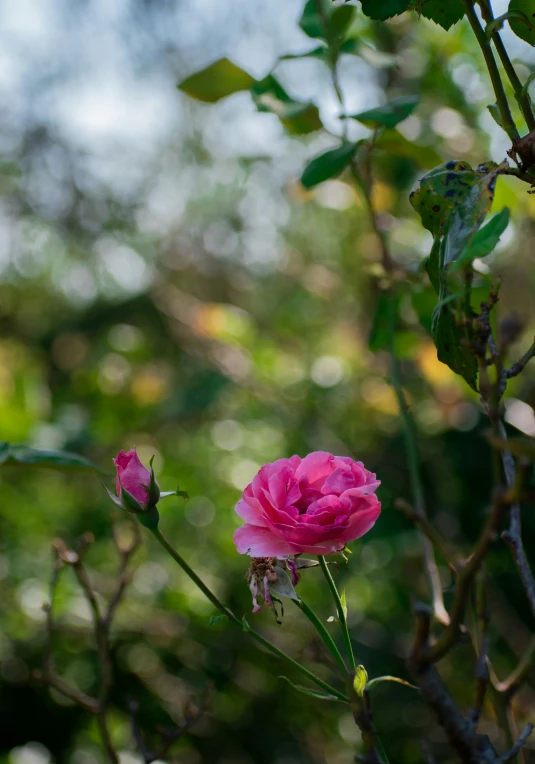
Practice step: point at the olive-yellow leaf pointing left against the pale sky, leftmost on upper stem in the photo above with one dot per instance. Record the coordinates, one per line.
(219, 80)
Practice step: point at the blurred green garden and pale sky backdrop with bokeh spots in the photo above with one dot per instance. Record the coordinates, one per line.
(165, 281)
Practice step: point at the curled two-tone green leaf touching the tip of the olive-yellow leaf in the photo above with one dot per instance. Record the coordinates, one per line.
(299, 118)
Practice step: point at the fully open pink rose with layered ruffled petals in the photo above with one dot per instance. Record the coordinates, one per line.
(314, 505)
